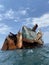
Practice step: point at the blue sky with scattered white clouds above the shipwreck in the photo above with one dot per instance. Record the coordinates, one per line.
(16, 13)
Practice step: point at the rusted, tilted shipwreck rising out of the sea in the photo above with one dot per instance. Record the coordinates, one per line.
(28, 38)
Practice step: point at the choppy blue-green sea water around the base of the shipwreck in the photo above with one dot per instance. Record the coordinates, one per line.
(35, 56)
